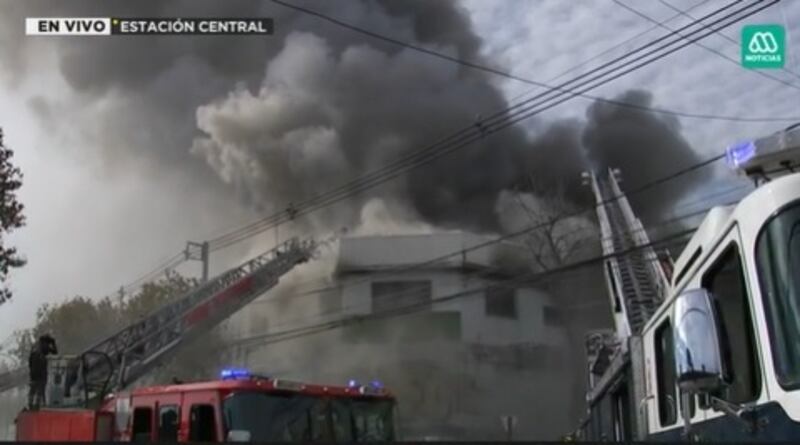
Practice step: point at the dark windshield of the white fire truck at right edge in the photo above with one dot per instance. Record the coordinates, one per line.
(778, 262)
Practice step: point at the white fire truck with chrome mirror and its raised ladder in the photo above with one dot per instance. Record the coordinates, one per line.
(710, 352)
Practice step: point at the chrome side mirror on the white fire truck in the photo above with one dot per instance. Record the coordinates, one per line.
(698, 357)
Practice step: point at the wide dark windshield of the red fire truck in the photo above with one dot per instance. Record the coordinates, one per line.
(272, 417)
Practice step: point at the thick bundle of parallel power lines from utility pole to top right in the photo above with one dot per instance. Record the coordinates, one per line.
(463, 137)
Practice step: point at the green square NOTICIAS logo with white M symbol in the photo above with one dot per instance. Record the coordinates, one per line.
(763, 46)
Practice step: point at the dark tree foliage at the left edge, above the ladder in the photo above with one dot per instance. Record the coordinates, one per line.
(11, 216)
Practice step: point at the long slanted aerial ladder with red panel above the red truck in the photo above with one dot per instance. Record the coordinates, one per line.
(120, 359)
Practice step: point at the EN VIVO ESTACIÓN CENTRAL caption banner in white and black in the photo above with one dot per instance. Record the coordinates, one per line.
(109, 26)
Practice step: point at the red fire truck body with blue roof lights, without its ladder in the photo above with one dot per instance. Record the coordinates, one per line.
(239, 407)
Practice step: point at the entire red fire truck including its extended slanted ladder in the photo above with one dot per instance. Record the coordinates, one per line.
(88, 396)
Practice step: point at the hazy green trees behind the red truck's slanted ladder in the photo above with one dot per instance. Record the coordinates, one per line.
(79, 322)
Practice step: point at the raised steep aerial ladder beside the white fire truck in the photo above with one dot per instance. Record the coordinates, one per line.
(636, 275)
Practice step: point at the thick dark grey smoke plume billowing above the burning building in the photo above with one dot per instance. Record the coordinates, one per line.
(287, 117)
